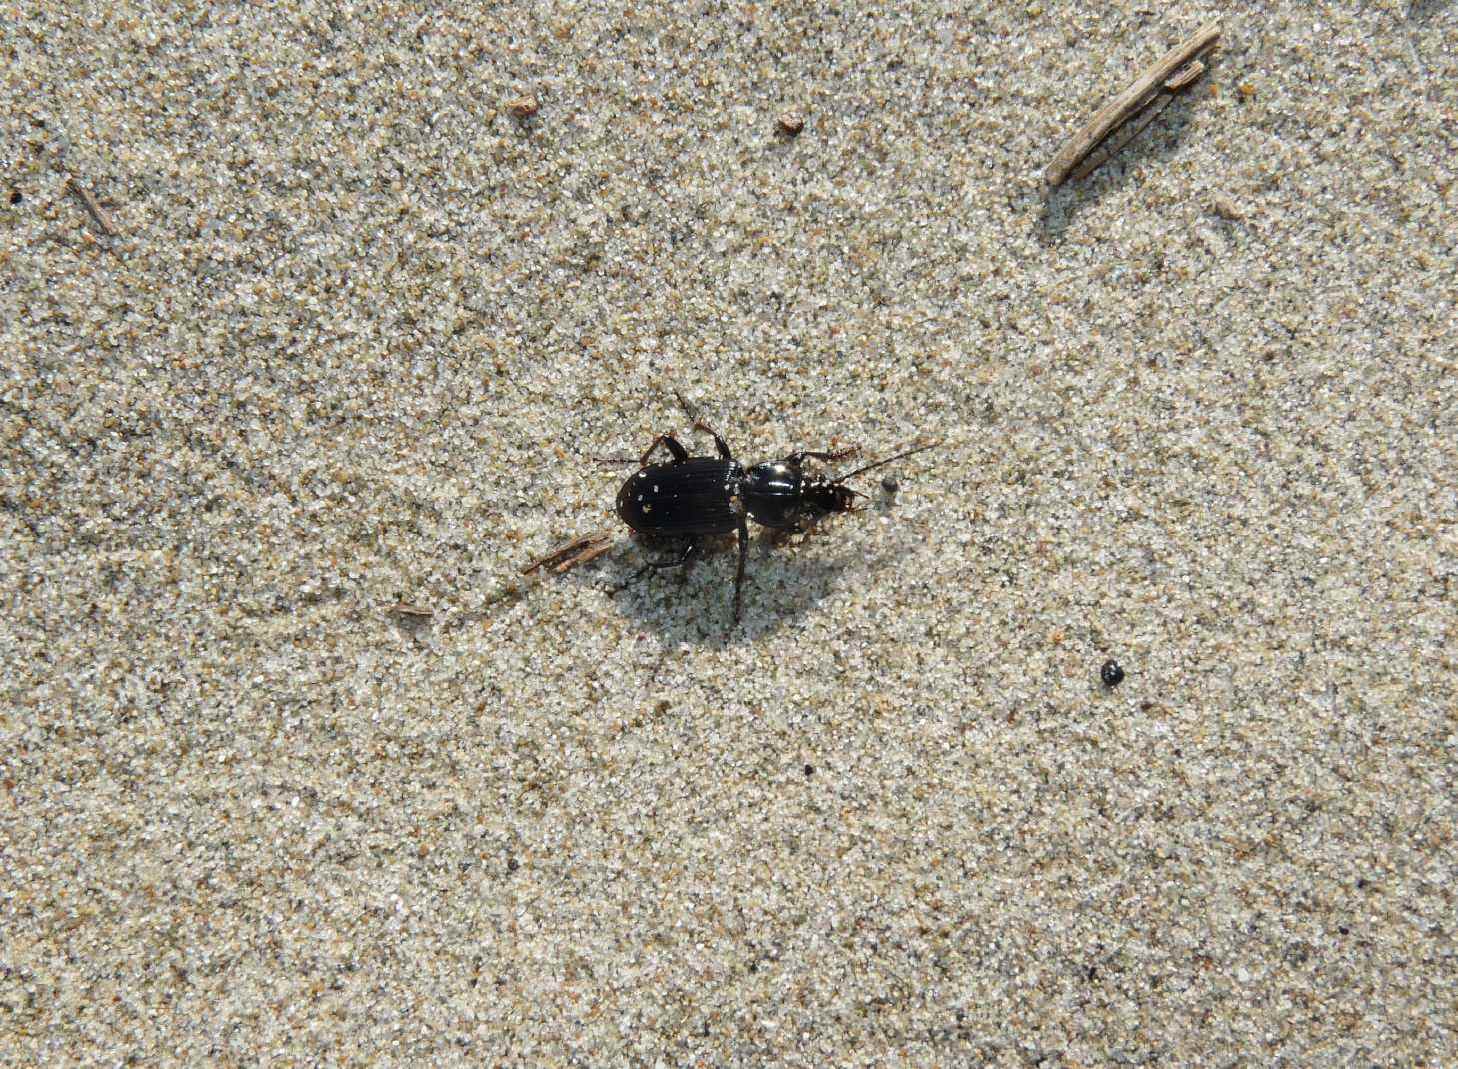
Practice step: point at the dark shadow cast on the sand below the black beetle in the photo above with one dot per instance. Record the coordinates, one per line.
(696, 606)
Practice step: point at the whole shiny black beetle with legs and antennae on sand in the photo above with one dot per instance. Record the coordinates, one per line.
(693, 497)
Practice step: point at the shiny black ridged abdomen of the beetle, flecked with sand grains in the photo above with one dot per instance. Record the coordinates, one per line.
(692, 498)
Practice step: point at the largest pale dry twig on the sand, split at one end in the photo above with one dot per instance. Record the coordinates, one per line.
(1145, 98)
